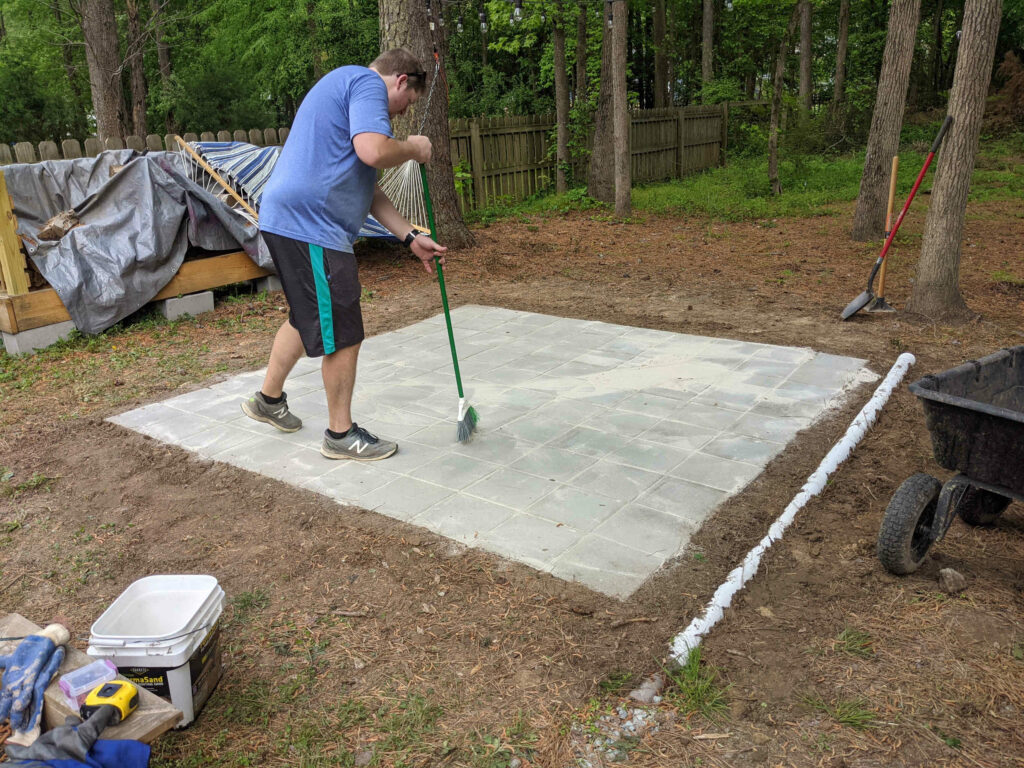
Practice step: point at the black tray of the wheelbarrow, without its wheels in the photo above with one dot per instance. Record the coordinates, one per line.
(975, 414)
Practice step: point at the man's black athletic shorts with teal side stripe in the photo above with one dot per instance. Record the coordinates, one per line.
(323, 290)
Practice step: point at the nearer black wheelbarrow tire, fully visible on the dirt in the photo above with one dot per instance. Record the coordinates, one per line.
(906, 534)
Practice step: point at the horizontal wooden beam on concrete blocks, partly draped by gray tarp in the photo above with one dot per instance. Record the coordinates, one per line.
(45, 308)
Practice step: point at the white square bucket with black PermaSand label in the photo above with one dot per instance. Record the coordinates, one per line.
(164, 634)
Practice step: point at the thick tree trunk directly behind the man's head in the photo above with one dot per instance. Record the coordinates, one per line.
(404, 24)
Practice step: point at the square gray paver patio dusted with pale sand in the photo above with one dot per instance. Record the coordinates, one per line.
(601, 449)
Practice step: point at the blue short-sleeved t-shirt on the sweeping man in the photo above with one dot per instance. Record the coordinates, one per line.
(320, 192)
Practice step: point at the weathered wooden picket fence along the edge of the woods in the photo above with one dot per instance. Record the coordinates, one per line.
(504, 158)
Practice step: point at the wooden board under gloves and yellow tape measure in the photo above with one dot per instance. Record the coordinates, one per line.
(154, 716)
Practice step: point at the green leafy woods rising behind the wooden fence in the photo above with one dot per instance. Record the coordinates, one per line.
(214, 65)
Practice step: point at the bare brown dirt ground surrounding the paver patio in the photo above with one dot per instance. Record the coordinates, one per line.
(352, 638)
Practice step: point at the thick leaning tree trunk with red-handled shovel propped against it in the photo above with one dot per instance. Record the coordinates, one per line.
(936, 290)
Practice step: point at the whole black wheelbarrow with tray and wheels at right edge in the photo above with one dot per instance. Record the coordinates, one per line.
(975, 416)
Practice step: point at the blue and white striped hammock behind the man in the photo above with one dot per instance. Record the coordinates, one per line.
(246, 168)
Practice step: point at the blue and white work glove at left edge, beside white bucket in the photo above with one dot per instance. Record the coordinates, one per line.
(27, 673)
